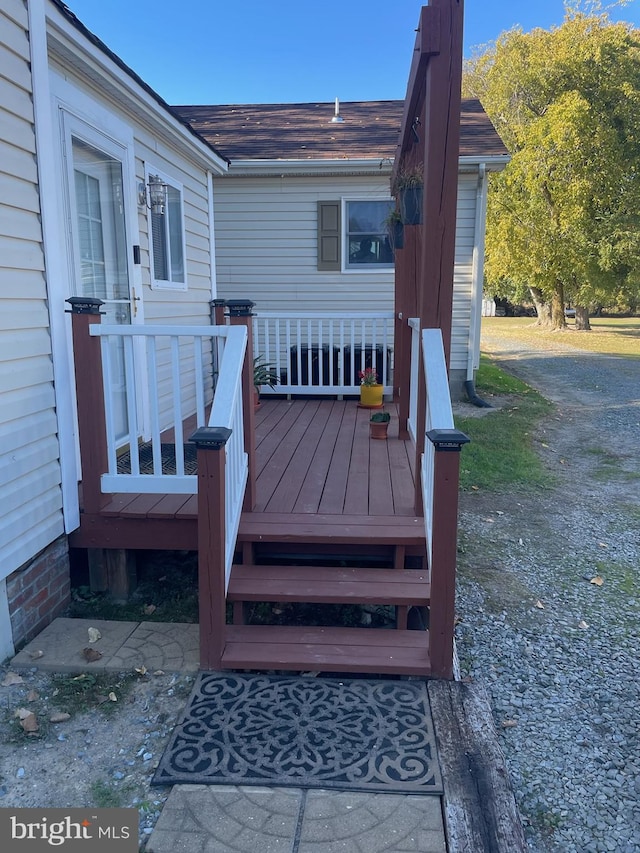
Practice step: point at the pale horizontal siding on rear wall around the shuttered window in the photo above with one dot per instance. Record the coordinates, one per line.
(267, 249)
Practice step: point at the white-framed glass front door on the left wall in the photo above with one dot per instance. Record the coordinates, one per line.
(100, 247)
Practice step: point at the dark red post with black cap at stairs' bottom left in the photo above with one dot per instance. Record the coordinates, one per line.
(210, 443)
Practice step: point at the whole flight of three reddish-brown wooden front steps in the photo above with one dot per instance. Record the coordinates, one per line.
(398, 650)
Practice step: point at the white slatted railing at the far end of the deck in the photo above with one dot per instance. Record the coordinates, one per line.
(323, 352)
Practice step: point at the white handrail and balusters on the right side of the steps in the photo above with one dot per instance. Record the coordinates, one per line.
(439, 415)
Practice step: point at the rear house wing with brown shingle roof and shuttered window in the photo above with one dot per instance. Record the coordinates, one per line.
(285, 159)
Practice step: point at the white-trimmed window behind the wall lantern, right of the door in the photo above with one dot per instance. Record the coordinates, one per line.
(167, 239)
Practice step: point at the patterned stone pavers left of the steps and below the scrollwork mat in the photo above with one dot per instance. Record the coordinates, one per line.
(230, 819)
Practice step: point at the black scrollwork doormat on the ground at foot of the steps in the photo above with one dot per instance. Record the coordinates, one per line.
(305, 732)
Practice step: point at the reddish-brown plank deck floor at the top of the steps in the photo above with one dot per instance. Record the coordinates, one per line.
(318, 472)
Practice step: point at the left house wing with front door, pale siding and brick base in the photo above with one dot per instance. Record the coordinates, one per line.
(82, 141)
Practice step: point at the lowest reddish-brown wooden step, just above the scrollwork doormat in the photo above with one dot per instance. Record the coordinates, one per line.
(326, 649)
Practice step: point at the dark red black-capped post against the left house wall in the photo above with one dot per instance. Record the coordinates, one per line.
(90, 400)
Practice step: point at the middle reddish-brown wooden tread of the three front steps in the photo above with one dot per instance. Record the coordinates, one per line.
(330, 585)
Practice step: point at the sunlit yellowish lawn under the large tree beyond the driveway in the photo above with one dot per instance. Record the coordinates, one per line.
(609, 335)
